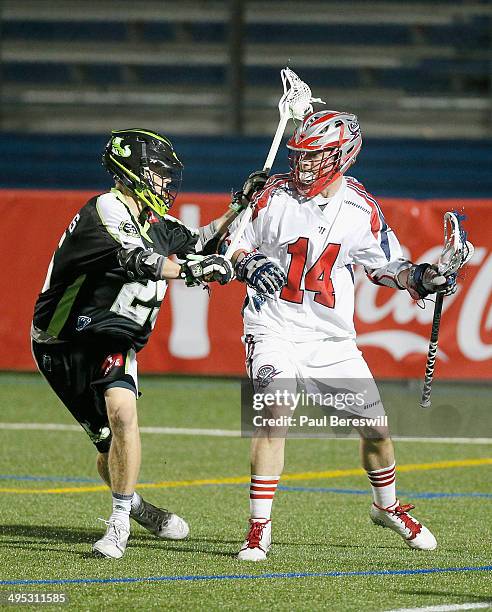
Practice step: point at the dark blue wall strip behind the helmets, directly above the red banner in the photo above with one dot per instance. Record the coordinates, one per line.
(390, 167)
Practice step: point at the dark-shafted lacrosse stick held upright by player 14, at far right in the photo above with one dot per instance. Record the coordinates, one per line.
(456, 253)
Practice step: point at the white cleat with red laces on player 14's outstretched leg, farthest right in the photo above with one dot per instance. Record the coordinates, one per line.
(397, 518)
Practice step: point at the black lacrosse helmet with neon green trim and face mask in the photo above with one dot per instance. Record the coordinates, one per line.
(145, 162)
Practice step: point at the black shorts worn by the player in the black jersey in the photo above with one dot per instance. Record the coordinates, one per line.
(80, 375)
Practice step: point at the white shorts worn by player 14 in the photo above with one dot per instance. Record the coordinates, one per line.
(317, 367)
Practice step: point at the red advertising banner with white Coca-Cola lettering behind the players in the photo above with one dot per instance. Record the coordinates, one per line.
(200, 334)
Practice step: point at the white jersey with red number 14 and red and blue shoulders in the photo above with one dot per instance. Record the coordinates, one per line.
(316, 248)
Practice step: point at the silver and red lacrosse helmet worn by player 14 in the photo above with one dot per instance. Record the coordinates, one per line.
(322, 148)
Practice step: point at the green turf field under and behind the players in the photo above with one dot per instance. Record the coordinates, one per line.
(320, 520)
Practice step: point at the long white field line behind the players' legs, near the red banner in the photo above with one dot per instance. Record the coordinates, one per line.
(224, 433)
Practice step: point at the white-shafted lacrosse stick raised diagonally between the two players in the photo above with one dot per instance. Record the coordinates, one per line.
(294, 104)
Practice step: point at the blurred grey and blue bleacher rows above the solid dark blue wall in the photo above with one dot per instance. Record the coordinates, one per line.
(380, 58)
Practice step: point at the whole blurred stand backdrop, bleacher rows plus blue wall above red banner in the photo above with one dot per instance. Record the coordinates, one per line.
(416, 73)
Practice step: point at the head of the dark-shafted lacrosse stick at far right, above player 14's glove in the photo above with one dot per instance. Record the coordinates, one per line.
(457, 250)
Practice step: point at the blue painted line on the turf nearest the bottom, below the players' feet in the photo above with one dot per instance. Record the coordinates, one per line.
(395, 572)
